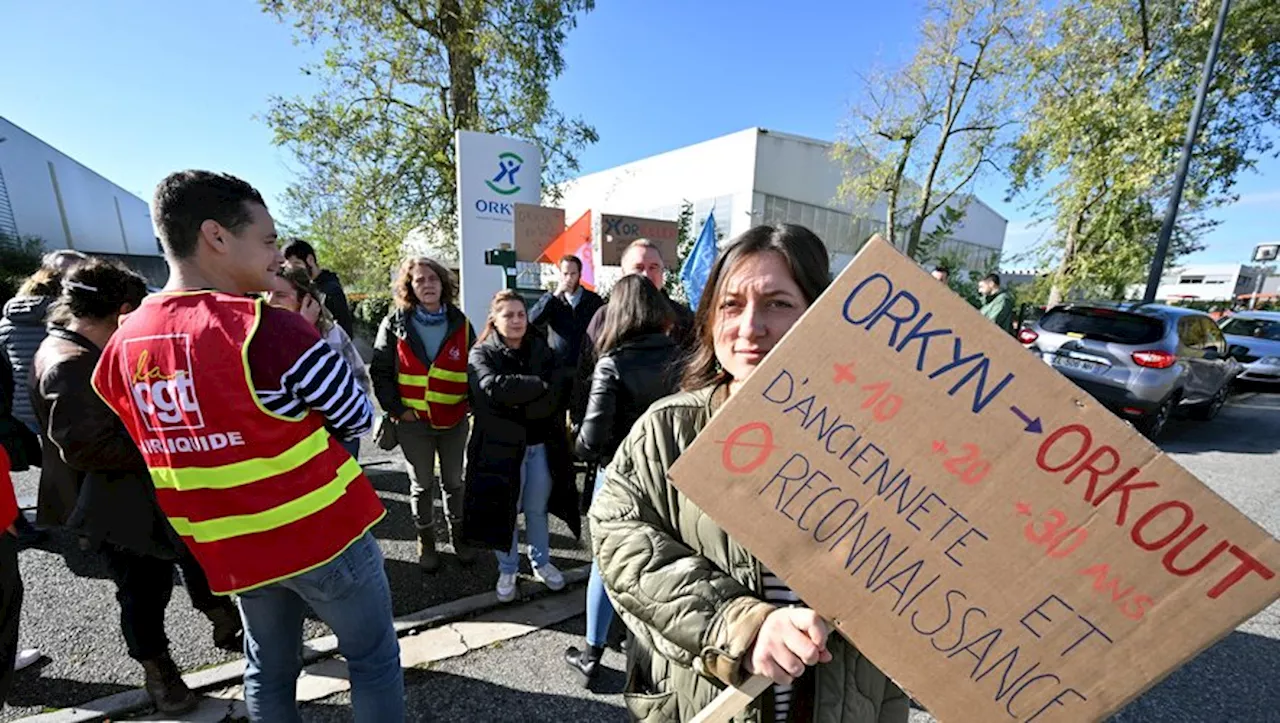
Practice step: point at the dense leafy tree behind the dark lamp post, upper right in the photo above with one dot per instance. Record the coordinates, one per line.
(1113, 91)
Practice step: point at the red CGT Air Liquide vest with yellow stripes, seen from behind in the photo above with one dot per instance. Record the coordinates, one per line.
(257, 497)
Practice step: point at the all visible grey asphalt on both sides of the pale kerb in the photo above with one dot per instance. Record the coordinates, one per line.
(72, 616)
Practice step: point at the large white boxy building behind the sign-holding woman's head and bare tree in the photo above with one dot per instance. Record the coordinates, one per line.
(757, 177)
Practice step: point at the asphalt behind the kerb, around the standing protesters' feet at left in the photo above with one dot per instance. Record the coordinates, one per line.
(71, 614)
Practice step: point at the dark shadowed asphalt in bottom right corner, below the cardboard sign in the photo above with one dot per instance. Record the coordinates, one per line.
(1235, 680)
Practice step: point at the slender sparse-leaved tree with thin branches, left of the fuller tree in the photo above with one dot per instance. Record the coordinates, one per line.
(943, 118)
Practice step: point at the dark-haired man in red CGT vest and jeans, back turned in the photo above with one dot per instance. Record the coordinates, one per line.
(232, 404)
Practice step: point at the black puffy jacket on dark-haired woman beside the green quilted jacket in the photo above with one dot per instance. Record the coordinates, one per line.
(627, 381)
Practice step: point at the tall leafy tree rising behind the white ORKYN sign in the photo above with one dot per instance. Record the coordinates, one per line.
(400, 77)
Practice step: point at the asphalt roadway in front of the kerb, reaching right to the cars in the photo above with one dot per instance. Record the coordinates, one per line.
(1238, 456)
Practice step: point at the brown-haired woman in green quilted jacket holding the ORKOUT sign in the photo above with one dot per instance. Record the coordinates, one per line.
(703, 611)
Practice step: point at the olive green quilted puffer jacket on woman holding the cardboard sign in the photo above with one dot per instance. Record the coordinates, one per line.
(691, 594)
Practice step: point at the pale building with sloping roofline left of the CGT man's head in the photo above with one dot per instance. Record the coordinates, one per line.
(48, 195)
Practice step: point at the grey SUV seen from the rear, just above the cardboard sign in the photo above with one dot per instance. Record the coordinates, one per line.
(1142, 361)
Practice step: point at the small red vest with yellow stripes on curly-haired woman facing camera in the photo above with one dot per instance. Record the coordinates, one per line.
(440, 391)
